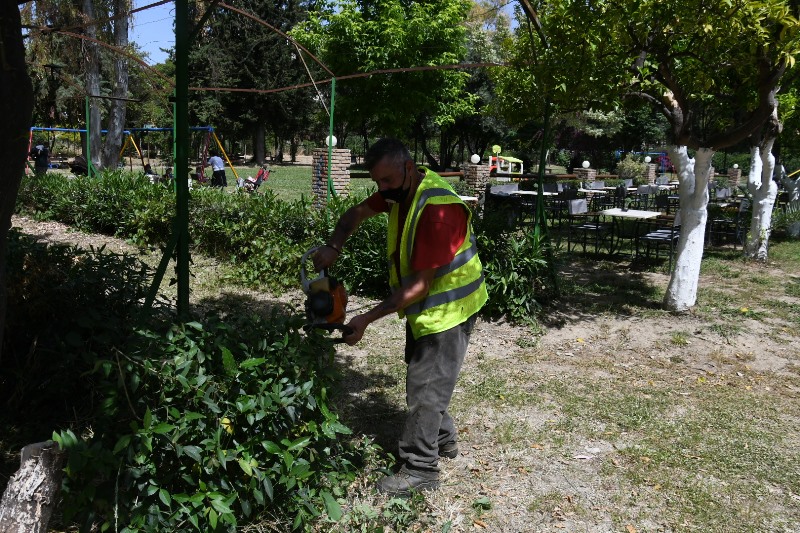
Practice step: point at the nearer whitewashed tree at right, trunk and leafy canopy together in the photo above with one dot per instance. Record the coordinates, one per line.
(713, 70)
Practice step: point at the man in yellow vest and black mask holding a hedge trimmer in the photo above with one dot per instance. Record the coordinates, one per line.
(437, 284)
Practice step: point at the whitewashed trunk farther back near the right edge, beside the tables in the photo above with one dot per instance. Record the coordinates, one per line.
(764, 191)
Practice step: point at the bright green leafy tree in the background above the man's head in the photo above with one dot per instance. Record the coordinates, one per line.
(353, 37)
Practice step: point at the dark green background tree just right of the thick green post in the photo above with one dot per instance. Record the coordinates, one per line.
(234, 50)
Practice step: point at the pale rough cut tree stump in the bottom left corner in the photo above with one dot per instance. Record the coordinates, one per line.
(32, 493)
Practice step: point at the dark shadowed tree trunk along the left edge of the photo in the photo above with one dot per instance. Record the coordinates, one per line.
(16, 108)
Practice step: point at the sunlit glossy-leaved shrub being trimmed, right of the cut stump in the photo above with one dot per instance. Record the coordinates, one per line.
(210, 422)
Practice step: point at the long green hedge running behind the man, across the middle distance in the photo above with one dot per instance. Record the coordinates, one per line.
(265, 237)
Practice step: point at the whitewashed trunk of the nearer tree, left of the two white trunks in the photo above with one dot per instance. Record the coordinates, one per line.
(693, 175)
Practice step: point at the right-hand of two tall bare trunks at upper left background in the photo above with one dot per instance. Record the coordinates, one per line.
(118, 108)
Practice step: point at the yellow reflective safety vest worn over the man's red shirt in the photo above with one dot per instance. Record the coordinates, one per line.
(458, 289)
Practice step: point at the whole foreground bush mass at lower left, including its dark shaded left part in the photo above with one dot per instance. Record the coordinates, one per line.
(167, 428)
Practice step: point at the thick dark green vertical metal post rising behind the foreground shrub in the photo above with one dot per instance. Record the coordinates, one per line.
(182, 152)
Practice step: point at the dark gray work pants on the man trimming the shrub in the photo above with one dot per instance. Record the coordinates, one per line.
(434, 362)
